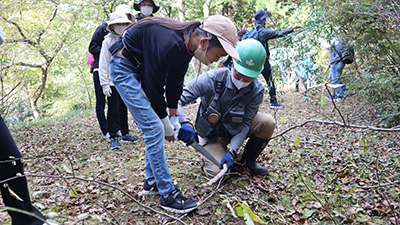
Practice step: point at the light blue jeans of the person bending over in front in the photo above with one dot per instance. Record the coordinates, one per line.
(127, 80)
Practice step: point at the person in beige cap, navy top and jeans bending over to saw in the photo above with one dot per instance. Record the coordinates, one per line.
(155, 53)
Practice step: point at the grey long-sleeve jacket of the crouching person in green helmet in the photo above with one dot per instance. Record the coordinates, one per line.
(229, 100)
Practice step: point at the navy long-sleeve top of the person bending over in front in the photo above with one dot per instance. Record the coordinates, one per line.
(164, 60)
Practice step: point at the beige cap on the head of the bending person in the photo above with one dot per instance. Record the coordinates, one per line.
(224, 29)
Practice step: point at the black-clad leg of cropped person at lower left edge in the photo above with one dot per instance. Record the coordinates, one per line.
(8, 169)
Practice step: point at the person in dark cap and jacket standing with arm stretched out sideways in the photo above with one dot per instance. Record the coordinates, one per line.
(264, 35)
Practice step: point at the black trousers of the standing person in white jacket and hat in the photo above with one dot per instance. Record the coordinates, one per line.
(117, 116)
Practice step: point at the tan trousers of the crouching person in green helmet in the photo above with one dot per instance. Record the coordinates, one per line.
(262, 126)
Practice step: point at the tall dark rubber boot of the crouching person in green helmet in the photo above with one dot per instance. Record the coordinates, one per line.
(252, 150)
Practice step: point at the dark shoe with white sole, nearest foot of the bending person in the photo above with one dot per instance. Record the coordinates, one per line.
(177, 203)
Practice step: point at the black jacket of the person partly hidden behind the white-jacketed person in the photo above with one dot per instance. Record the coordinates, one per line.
(95, 43)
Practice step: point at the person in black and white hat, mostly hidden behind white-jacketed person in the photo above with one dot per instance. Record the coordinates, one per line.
(94, 49)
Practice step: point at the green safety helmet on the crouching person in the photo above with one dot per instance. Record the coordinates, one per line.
(252, 54)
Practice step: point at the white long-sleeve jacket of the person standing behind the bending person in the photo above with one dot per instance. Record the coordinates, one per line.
(105, 56)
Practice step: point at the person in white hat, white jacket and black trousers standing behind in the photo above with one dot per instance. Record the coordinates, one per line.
(117, 116)
